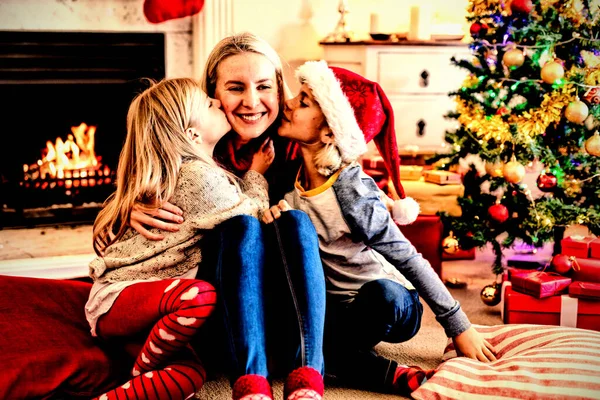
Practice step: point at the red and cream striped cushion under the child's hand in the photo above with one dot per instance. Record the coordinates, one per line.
(534, 362)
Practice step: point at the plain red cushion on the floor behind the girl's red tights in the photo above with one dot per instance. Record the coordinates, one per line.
(46, 345)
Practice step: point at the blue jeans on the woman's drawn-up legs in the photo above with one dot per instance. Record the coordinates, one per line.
(269, 279)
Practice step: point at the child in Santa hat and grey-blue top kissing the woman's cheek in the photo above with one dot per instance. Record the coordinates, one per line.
(374, 275)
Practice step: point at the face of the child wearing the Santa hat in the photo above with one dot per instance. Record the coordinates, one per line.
(302, 119)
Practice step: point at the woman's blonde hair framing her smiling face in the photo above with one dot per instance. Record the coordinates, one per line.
(238, 44)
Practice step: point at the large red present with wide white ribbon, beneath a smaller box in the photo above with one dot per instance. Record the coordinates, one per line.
(562, 310)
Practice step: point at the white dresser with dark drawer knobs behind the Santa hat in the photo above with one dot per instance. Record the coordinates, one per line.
(417, 77)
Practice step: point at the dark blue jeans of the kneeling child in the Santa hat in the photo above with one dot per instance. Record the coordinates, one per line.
(382, 311)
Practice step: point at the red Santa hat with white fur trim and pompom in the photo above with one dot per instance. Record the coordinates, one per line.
(358, 111)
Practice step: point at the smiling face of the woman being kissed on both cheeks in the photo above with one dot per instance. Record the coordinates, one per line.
(247, 88)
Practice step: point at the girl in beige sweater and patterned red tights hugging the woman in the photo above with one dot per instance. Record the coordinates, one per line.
(147, 289)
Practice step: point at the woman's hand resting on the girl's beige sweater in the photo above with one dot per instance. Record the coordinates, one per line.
(143, 217)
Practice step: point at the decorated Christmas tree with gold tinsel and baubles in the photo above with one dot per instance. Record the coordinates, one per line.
(531, 97)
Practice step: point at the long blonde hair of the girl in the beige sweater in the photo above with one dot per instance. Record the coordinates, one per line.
(154, 150)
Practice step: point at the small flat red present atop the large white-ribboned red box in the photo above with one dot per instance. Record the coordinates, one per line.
(540, 284)
